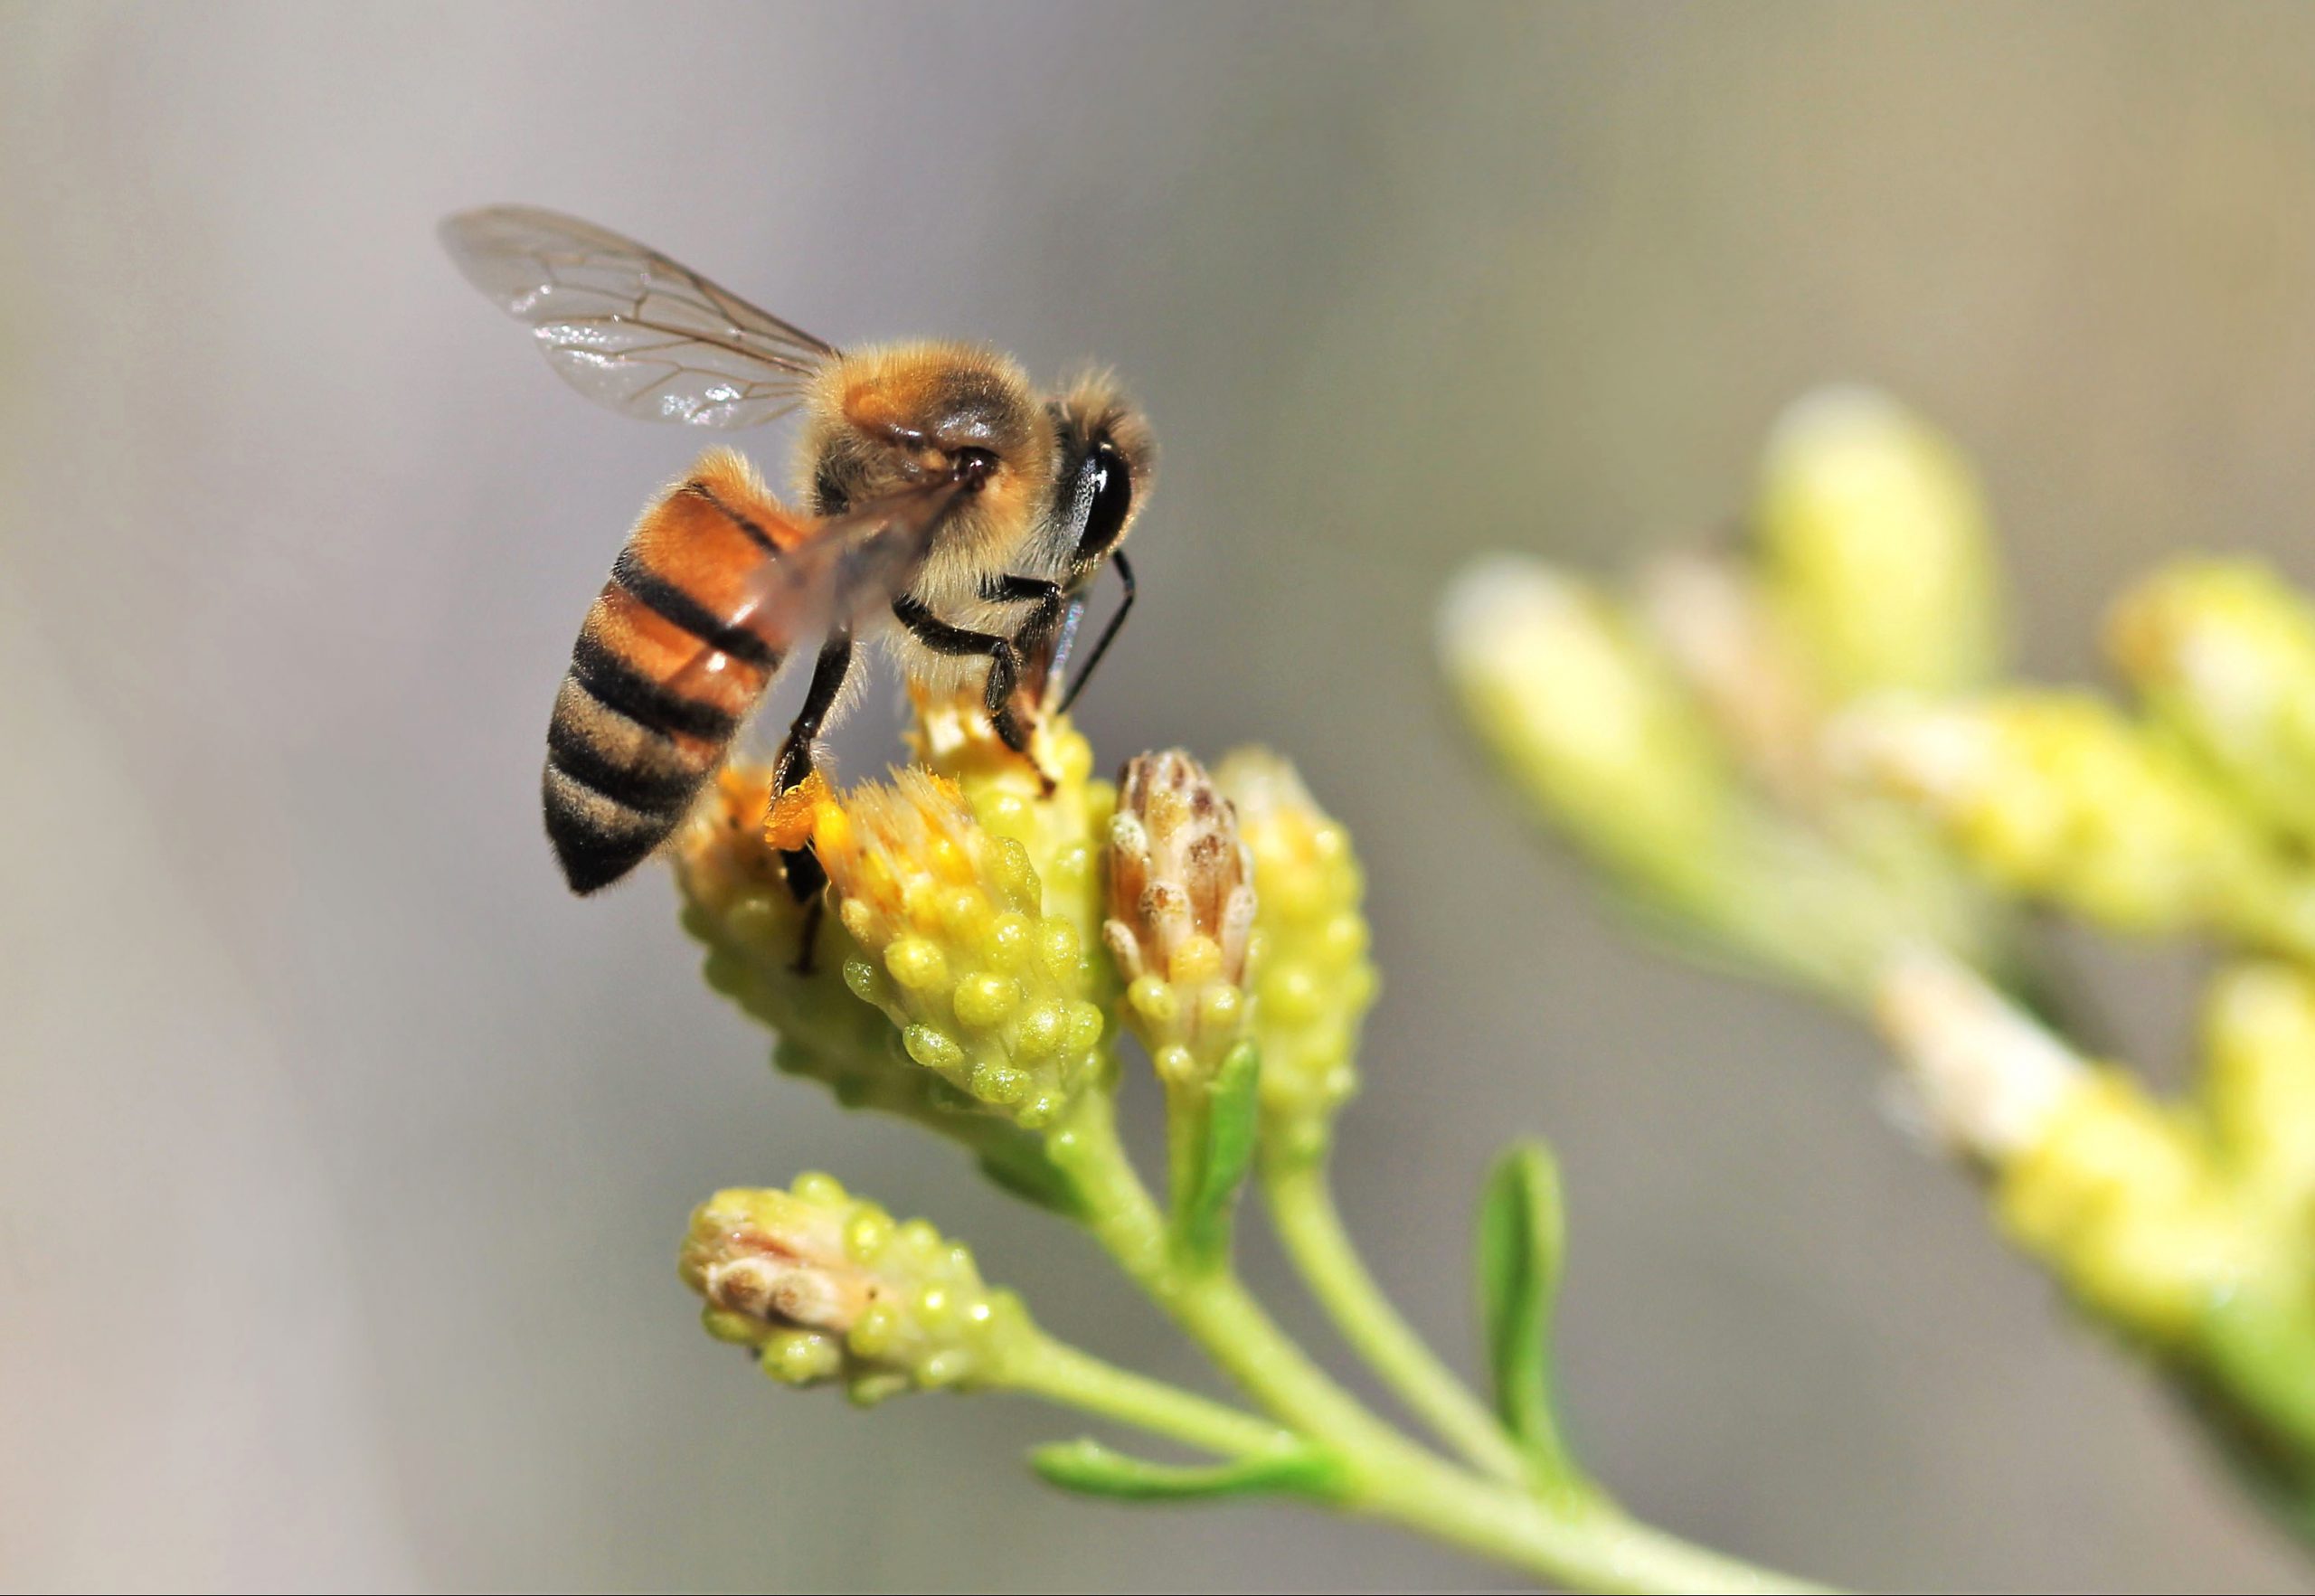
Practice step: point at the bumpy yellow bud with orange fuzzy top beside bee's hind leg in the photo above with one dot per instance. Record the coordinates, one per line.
(955, 946)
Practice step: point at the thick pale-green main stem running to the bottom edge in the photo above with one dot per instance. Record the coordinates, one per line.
(1589, 1546)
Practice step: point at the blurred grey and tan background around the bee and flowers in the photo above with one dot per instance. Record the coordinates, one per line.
(344, 1157)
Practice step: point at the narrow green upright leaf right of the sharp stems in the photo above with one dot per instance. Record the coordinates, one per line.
(1522, 1238)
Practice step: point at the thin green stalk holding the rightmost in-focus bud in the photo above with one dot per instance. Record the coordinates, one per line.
(1309, 1224)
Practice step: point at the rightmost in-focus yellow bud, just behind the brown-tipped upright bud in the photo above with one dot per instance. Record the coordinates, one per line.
(1309, 960)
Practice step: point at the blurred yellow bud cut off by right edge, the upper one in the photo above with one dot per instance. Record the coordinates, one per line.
(2224, 652)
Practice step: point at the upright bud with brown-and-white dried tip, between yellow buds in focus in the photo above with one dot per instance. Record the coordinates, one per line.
(1182, 909)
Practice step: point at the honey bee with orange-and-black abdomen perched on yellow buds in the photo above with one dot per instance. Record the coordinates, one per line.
(953, 513)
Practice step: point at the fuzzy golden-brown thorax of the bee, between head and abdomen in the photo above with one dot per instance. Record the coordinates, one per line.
(906, 416)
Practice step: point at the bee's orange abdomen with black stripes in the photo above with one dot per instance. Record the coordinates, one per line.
(661, 678)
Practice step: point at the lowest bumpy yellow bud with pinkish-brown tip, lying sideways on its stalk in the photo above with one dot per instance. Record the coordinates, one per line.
(828, 1287)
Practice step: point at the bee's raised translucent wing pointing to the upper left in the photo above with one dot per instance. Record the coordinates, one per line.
(631, 328)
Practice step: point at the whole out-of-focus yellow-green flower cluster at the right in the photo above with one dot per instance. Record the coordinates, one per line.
(1798, 752)
